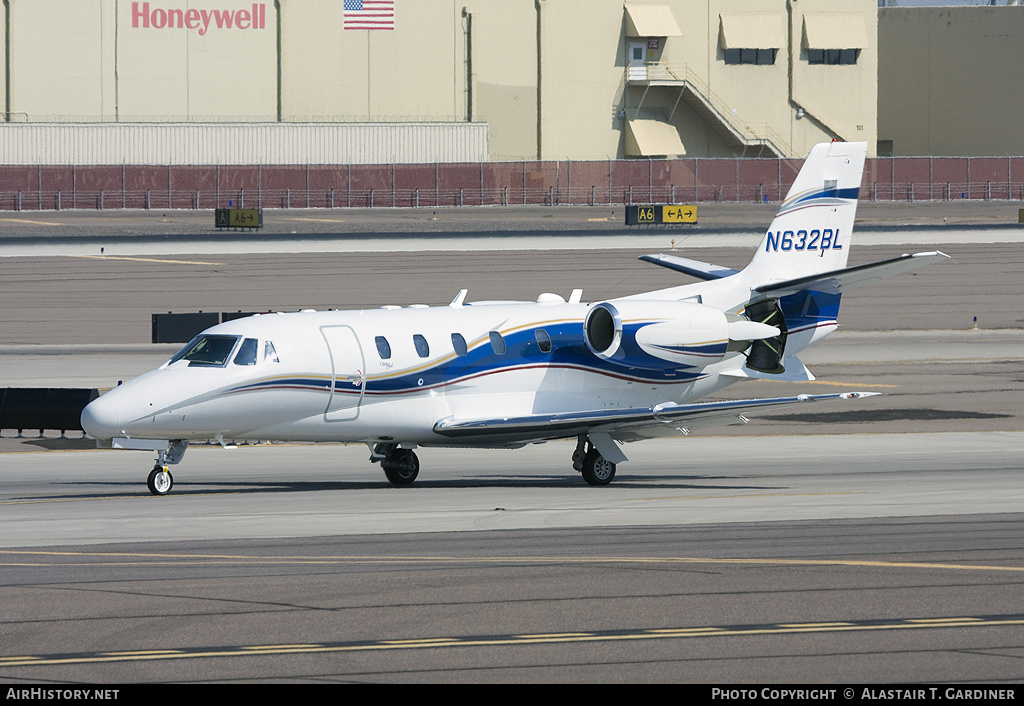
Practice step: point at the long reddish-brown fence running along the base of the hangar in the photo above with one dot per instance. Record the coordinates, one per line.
(489, 184)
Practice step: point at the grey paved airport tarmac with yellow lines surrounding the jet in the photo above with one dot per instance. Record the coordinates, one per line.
(875, 542)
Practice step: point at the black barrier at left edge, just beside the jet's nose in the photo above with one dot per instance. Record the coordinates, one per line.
(45, 408)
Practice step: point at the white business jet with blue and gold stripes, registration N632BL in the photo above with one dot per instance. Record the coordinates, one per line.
(507, 375)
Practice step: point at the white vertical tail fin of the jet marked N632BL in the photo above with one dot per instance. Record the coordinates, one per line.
(812, 232)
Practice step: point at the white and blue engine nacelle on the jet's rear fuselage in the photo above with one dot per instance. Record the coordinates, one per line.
(658, 336)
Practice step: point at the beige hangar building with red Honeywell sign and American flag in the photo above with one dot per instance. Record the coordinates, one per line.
(333, 81)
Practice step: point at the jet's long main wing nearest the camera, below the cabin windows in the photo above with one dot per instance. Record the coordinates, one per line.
(549, 427)
